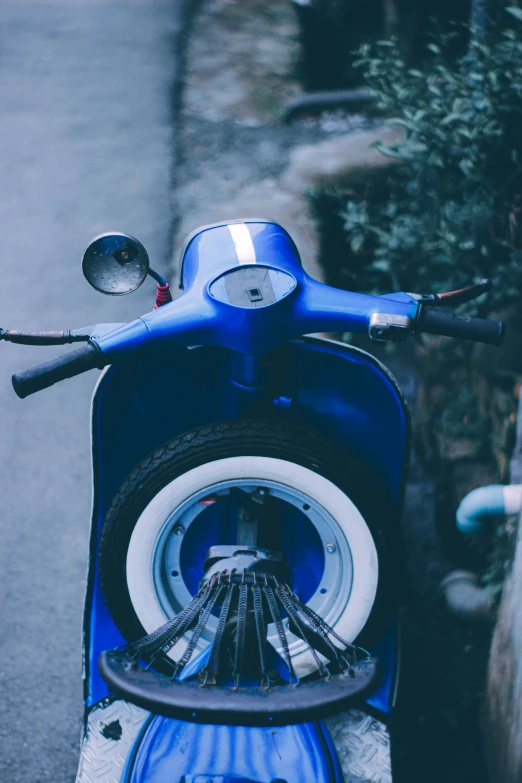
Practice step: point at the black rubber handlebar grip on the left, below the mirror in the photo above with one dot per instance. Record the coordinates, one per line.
(88, 357)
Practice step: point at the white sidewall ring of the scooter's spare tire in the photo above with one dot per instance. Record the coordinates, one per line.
(352, 529)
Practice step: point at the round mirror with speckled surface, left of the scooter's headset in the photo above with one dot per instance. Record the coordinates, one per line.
(115, 264)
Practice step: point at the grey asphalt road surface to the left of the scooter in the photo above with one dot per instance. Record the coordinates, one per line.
(86, 146)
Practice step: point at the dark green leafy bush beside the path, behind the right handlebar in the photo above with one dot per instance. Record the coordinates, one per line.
(451, 214)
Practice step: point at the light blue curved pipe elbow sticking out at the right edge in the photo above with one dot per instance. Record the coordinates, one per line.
(482, 504)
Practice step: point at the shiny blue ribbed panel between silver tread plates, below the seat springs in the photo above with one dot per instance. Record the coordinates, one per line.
(169, 749)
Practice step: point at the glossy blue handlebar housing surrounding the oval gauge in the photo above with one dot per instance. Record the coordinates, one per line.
(198, 318)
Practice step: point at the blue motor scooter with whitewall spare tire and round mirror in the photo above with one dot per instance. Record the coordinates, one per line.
(245, 558)
